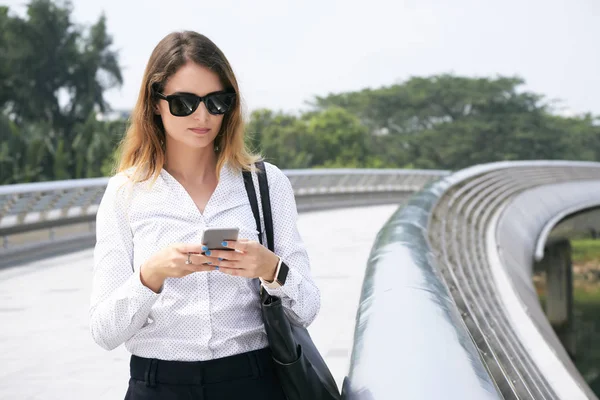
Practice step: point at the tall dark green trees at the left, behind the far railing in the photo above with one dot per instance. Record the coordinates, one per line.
(53, 76)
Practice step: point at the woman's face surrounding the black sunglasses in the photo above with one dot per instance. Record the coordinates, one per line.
(199, 129)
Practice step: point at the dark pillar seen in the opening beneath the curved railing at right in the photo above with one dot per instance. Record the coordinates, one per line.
(558, 265)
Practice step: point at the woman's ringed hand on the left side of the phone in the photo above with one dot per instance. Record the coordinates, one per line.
(170, 262)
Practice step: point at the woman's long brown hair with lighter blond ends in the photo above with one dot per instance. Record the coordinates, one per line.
(142, 146)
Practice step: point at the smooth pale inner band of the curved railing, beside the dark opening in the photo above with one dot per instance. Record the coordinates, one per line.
(512, 259)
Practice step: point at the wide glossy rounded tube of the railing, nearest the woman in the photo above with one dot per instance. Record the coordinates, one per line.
(410, 341)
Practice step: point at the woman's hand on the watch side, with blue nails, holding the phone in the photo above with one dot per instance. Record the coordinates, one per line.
(249, 259)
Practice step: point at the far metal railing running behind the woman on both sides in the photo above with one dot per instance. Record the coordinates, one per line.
(61, 214)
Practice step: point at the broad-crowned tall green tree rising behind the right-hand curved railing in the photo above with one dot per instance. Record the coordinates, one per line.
(453, 122)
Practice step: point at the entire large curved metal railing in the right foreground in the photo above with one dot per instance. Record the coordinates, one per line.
(460, 255)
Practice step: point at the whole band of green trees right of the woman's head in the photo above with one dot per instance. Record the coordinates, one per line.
(437, 122)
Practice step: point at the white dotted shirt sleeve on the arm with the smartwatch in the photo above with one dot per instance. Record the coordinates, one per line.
(300, 295)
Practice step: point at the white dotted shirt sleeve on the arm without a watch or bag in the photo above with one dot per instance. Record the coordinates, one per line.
(120, 303)
